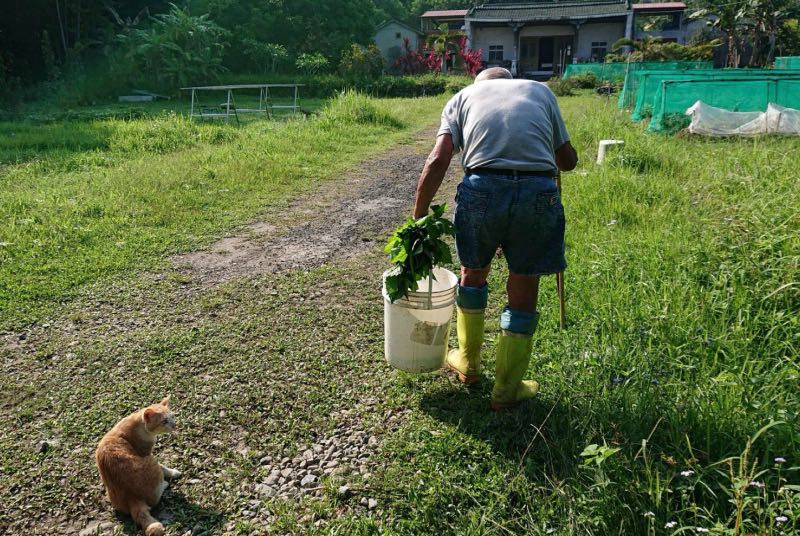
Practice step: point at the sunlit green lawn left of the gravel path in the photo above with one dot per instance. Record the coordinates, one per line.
(88, 200)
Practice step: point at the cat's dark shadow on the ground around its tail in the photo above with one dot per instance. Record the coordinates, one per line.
(176, 509)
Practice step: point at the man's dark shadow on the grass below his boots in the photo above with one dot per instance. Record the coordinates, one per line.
(535, 434)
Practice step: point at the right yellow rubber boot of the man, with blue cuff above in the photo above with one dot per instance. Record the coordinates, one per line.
(513, 356)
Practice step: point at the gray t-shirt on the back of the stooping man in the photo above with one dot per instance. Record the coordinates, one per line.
(505, 124)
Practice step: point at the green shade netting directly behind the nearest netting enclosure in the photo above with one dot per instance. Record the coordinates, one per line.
(641, 87)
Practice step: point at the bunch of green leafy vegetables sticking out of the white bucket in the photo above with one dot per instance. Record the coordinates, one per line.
(416, 248)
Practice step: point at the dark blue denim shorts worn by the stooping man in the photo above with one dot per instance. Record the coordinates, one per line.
(523, 214)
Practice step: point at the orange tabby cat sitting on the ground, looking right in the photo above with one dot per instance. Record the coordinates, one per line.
(133, 478)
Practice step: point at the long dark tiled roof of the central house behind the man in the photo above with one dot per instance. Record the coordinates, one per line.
(548, 10)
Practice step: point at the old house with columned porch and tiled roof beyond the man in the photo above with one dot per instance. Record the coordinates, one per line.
(538, 39)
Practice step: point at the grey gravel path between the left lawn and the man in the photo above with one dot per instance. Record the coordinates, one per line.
(341, 220)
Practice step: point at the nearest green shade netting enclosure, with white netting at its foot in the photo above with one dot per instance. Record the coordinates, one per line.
(674, 97)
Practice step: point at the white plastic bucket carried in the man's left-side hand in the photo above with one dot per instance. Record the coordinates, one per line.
(417, 328)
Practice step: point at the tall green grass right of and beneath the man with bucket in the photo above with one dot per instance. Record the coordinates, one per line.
(683, 342)
